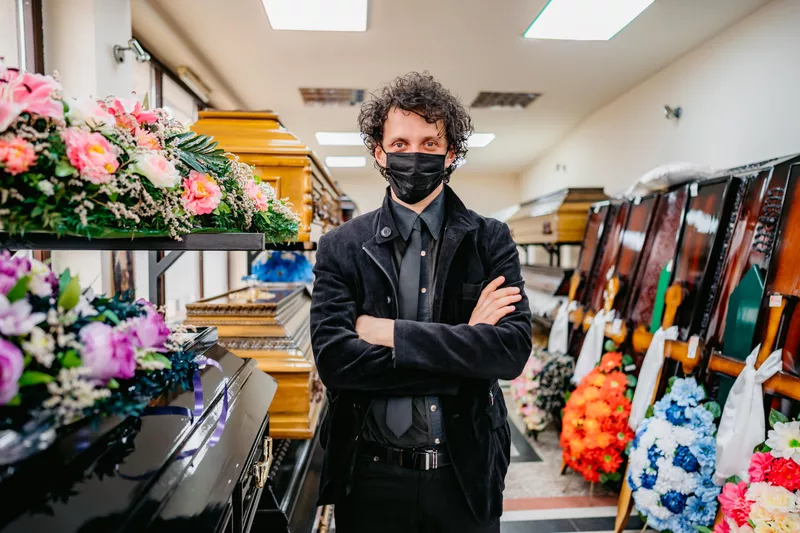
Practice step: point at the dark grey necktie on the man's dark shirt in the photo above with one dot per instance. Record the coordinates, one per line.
(399, 411)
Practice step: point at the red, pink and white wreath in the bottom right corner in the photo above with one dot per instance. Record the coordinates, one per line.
(770, 502)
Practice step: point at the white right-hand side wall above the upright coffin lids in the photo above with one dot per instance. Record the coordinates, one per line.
(739, 94)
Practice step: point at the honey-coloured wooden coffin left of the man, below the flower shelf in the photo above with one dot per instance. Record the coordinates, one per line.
(270, 324)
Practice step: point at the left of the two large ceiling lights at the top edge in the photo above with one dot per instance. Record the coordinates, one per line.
(317, 15)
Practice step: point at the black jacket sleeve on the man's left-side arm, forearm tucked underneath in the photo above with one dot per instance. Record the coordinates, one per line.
(346, 362)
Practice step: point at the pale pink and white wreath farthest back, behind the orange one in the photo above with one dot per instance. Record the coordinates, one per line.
(539, 391)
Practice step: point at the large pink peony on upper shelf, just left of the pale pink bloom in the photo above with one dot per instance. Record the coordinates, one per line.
(91, 154)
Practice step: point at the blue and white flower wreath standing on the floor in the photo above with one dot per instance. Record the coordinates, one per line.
(672, 460)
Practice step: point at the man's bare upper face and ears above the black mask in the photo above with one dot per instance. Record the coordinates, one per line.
(405, 131)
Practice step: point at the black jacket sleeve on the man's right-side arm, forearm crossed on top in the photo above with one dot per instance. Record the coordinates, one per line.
(481, 351)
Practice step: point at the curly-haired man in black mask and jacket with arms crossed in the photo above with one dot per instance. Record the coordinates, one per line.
(418, 310)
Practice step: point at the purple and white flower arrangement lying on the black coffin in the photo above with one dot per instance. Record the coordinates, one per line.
(66, 354)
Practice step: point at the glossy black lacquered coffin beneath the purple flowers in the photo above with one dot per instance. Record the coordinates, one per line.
(161, 473)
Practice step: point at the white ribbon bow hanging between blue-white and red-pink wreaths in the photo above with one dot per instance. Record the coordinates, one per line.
(742, 426)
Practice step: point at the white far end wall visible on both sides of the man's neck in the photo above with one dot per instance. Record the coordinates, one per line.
(483, 193)
